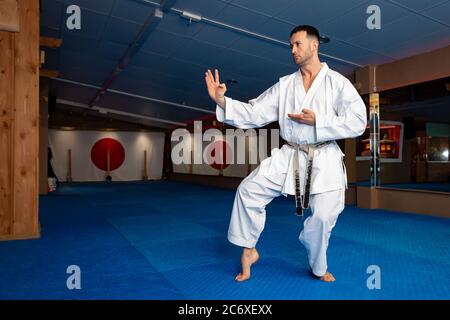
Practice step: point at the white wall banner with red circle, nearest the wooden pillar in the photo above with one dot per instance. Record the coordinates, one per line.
(94, 154)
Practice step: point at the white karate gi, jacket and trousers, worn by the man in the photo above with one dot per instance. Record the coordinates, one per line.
(340, 113)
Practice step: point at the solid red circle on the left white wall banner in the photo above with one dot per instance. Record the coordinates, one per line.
(99, 154)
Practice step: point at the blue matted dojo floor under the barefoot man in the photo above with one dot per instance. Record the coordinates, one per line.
(167, 240)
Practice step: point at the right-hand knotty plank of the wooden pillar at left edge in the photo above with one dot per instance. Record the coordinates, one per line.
(26, 121)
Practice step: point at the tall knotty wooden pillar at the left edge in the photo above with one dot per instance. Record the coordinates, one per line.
(19, 133)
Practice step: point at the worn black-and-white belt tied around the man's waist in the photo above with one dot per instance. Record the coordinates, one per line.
(302, 201)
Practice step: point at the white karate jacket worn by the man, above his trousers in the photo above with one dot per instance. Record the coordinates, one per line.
(340, 113)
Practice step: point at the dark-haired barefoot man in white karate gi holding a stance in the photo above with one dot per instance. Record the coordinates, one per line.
(314, 107)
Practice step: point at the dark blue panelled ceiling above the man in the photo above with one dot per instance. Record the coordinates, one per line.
(160, 83)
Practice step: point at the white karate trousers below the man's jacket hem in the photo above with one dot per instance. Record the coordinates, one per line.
(249, 216)
